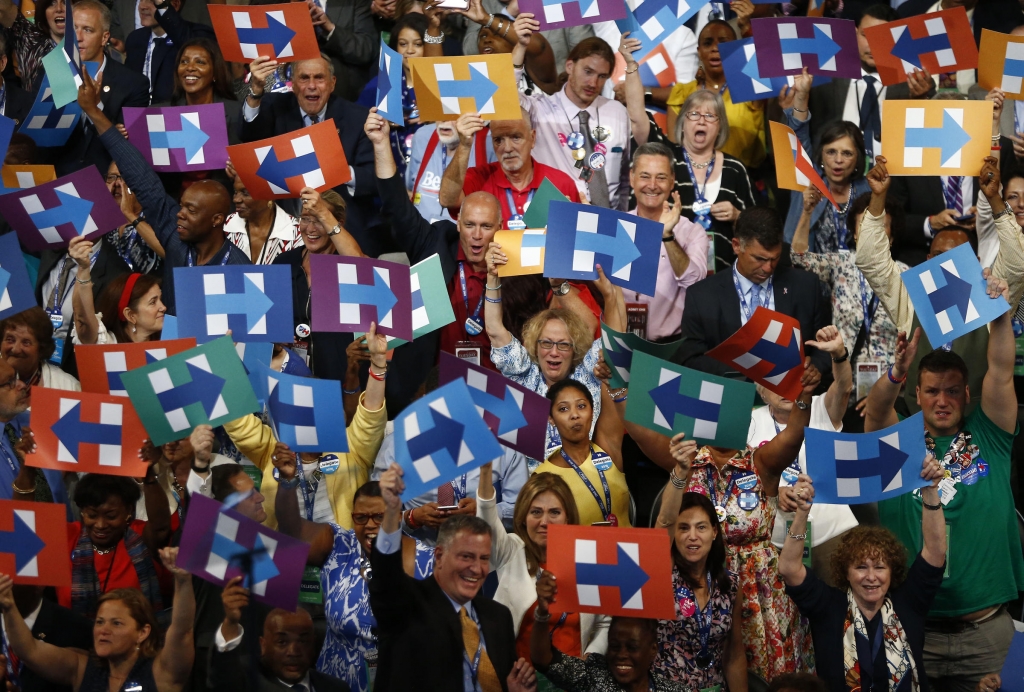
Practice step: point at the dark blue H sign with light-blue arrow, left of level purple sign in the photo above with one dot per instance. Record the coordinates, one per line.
(254, 302)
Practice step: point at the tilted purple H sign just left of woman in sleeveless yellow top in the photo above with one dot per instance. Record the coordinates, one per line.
(518, 416)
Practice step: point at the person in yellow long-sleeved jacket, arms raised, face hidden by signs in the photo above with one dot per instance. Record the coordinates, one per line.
(329, 481)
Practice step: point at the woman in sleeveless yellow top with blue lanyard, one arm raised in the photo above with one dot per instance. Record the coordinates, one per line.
(592, 469)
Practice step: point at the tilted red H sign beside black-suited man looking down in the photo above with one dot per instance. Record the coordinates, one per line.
(770, 351)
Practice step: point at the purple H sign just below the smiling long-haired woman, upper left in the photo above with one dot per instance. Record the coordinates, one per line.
(177, 139)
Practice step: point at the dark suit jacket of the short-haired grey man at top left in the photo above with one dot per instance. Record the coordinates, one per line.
(122, 88)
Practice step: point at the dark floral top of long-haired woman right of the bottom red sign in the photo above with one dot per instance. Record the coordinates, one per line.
(679, 640)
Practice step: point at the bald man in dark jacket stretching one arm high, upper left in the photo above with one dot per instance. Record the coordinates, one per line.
(193, 232)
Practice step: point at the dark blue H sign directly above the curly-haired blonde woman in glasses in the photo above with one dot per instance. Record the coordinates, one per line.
(627, 247)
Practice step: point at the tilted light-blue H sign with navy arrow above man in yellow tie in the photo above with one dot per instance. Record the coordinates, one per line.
(442, 437)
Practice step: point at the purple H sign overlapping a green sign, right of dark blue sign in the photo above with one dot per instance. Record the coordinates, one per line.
(349, 293)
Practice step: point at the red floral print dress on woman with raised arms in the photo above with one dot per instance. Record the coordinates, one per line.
(777, 638)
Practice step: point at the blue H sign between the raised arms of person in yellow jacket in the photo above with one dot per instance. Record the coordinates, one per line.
(304, 411)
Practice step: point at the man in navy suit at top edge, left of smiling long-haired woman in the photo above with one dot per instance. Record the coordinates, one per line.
(153, 50)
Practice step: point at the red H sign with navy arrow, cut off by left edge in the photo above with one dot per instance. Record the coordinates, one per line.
(34, 544)
